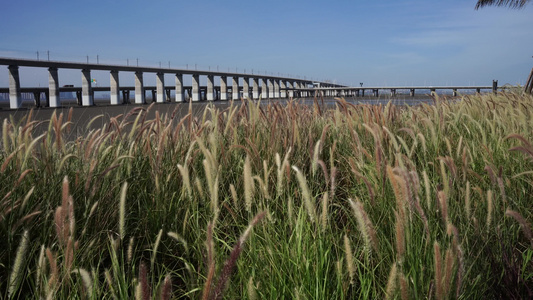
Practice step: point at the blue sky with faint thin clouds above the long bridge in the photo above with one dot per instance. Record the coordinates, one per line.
(418, 42)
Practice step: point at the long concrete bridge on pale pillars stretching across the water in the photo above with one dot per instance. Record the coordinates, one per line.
(262, 86)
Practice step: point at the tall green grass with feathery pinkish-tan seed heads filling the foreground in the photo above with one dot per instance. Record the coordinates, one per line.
(273, 202)
